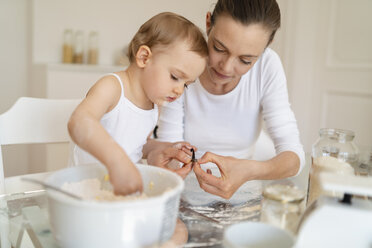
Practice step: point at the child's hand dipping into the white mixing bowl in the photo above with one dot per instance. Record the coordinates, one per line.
(125, 179)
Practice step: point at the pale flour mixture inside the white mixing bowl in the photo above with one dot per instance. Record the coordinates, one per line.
(92, 189)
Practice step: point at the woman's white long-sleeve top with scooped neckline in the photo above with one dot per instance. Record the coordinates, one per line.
(230, 124)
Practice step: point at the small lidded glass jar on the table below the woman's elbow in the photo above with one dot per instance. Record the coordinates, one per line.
(282, 206)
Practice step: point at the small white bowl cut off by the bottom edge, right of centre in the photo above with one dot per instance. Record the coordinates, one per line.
(257, 235)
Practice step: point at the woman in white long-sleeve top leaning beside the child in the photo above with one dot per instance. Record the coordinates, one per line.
(222, 113)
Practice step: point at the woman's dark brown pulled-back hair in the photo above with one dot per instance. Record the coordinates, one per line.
(264, 12)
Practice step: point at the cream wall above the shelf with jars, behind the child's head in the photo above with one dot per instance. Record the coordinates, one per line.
(116, 22)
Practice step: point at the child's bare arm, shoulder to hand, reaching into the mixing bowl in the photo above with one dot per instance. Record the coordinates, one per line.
(87, 132)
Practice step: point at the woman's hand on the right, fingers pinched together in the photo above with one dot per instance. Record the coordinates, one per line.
(233, 174)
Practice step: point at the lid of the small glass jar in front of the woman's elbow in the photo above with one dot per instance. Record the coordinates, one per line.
(284, 193)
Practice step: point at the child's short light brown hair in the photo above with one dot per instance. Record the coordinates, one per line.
(165, 28)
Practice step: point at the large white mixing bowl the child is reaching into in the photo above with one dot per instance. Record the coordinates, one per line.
(138, 223)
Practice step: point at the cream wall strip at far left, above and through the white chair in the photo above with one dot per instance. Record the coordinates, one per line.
(14, 59)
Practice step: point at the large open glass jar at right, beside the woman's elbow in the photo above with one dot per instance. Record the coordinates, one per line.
(333, 152)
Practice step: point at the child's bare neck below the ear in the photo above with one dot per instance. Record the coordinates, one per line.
(134, 90)
